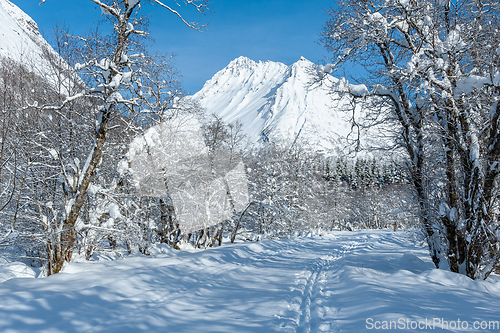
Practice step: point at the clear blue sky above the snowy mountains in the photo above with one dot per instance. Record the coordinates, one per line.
(277, 30)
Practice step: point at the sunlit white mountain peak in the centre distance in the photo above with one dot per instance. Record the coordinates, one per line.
(275, 102)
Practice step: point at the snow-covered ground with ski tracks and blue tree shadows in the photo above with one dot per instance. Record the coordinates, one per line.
(338, 282)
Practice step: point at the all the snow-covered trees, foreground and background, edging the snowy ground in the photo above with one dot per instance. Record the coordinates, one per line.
(106, 153)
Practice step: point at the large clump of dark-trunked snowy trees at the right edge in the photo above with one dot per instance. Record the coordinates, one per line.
(434, 69)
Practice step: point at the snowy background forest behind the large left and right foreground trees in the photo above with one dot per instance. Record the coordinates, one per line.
(128, 204)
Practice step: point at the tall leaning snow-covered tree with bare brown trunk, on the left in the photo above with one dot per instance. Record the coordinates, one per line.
(108, 67)
